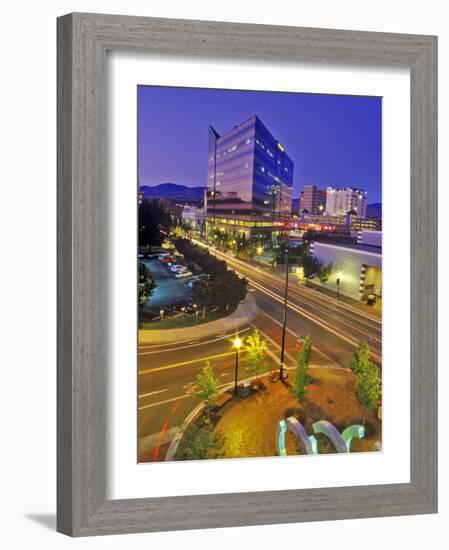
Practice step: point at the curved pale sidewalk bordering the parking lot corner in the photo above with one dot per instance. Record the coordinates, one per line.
(244, 314)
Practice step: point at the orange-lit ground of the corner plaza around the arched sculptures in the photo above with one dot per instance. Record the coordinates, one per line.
(250, 425)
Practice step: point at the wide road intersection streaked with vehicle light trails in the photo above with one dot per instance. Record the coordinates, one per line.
(167, 372)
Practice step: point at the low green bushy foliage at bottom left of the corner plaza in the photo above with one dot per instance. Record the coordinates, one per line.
(199, 443)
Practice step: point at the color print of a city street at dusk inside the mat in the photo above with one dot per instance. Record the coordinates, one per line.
(259, 274)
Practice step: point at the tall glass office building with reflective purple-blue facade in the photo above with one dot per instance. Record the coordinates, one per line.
(249, 173)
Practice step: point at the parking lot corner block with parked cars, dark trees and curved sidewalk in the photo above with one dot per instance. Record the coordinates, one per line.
(189, 288)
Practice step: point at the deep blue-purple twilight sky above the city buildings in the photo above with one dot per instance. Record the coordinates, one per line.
(332, 140)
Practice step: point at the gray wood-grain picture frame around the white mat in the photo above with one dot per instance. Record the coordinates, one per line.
(83, 41)
